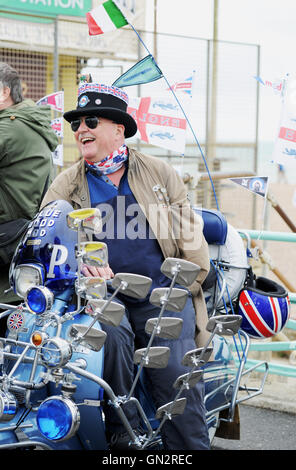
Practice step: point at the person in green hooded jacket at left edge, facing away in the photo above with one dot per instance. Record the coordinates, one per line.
(26, 143)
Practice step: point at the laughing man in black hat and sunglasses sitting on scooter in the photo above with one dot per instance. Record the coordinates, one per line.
(146, 218)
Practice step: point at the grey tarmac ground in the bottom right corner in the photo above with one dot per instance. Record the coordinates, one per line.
(262, 429)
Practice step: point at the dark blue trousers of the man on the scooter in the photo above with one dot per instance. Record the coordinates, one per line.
(185, 432)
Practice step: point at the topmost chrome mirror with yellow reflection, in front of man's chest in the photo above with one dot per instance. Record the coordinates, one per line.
(86, 218)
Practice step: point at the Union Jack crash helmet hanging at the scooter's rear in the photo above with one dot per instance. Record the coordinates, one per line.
(264, 307)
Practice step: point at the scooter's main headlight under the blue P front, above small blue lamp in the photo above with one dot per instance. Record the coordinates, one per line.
(26, 276)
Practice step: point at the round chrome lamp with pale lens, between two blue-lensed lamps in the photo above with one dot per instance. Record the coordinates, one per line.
(55, 352)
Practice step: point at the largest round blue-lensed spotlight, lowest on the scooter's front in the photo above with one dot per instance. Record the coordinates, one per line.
(58, 418)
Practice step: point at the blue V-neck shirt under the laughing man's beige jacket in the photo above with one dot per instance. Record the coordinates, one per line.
(132, 246)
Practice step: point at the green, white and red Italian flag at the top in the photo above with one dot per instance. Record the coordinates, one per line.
(104, 18)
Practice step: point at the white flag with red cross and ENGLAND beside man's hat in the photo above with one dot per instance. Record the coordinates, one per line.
(160, 122)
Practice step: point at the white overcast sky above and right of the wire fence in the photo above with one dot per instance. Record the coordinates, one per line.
(268, 23)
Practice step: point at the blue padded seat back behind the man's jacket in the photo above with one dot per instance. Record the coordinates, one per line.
(215, 226)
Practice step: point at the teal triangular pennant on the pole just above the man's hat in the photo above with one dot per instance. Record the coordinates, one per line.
(144, 71)
